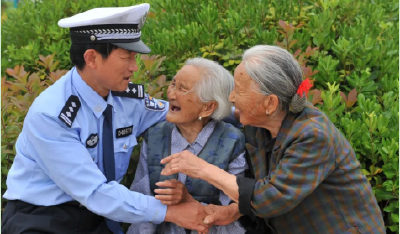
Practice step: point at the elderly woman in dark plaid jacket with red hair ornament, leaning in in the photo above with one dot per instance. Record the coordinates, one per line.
(304, 175)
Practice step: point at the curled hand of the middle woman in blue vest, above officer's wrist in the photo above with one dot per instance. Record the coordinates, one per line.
(174, 193)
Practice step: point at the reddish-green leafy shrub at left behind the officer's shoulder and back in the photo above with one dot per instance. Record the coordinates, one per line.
(17, 95)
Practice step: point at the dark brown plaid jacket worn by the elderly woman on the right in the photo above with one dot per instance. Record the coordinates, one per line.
(311, 183)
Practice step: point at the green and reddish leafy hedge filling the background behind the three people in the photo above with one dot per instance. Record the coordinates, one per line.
(350, 49)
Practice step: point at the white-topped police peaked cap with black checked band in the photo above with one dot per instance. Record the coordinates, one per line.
(119, 26)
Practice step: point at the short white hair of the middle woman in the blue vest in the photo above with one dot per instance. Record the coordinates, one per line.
(215, 84)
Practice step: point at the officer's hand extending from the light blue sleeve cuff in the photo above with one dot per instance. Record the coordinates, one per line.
(189, 215)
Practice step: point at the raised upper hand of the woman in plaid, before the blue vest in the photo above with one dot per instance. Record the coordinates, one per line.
(184, 162)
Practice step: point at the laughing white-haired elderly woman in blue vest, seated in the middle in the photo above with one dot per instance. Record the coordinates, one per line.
(199, 99)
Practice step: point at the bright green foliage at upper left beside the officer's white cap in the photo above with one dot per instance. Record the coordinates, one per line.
(32, 29)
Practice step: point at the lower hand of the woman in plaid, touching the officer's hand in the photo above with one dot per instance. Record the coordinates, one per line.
(221, 215)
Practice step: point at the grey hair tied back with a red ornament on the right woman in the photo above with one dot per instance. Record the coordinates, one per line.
(275, 71)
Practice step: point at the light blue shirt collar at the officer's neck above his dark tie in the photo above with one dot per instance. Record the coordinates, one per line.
(89, 96)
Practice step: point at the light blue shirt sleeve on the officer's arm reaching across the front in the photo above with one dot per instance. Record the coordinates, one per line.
(67, 162)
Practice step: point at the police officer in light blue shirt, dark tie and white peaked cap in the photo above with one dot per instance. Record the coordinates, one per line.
(79, 134)
